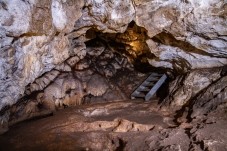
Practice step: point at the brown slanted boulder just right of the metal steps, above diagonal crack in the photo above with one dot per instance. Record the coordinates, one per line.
(183, 89)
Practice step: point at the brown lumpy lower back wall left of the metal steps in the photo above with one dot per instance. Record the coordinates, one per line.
(103, 75)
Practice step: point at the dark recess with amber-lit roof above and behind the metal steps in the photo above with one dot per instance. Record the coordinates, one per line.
(129, 46)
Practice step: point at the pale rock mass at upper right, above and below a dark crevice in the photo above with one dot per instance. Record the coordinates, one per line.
(186, 21)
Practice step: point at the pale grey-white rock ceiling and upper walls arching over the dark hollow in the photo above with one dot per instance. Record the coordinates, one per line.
(37, 36)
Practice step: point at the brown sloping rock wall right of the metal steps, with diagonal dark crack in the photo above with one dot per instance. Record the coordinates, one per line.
(198, 98)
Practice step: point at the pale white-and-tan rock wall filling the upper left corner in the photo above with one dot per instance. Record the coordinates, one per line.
(33, 41)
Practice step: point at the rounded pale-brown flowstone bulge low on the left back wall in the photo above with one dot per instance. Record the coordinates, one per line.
(65, 90)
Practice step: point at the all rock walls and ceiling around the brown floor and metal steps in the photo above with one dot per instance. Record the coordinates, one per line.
(60, 53)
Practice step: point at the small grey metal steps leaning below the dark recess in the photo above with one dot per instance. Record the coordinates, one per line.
(149, 87)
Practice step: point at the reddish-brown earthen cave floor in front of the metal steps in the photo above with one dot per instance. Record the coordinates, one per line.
(125, 125)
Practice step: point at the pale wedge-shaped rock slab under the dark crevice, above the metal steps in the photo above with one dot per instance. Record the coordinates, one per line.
(179, 60)
